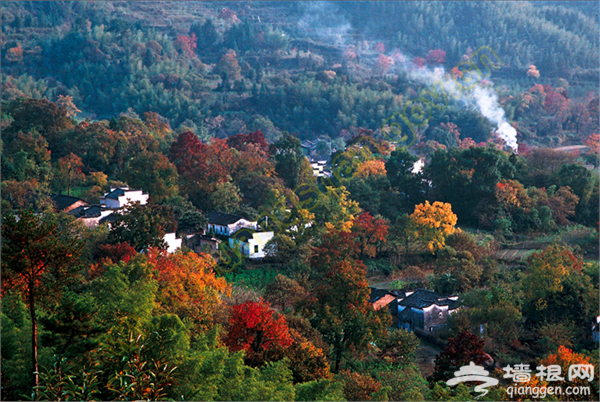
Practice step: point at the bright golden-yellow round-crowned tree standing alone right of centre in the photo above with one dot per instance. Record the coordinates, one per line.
(433, 223)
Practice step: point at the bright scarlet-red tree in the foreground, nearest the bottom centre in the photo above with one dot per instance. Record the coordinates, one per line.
(256, 329)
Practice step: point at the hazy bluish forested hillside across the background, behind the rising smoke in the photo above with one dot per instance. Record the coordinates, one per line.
(317, 69)
